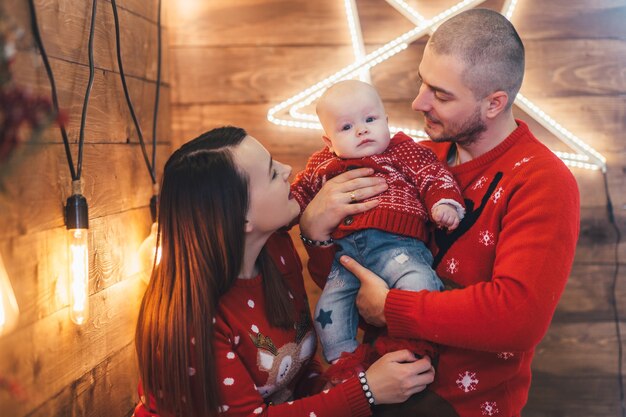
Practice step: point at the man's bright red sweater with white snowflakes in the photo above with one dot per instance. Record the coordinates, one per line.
(511, 255)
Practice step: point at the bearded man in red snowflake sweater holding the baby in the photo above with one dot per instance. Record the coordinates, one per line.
(512, 253)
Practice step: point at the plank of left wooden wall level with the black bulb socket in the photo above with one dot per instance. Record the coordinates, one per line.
(121, 183)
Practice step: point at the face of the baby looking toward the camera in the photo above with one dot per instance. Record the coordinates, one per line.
(355, 125)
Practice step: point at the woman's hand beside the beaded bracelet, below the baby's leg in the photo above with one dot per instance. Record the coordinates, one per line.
(398, 375)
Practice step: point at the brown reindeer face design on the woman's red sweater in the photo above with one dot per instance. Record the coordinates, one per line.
(284, 362)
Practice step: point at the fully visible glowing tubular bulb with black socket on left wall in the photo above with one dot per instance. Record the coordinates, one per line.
(78, 255)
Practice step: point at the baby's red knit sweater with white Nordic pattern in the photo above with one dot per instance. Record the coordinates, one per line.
(417, 182)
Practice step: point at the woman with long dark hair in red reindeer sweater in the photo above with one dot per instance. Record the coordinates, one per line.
(224, 326)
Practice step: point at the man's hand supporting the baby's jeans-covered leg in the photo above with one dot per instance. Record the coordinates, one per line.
(372, 294)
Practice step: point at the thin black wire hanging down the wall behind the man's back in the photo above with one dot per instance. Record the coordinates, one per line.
(613, 294)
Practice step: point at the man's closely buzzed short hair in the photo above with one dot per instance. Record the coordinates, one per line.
(489, 46)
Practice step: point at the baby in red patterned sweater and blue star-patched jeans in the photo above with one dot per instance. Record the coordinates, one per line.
(389, 239)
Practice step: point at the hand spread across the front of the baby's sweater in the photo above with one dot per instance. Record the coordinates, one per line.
(338, 198)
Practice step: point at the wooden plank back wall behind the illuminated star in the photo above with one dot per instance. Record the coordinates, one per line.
(232, 61)
